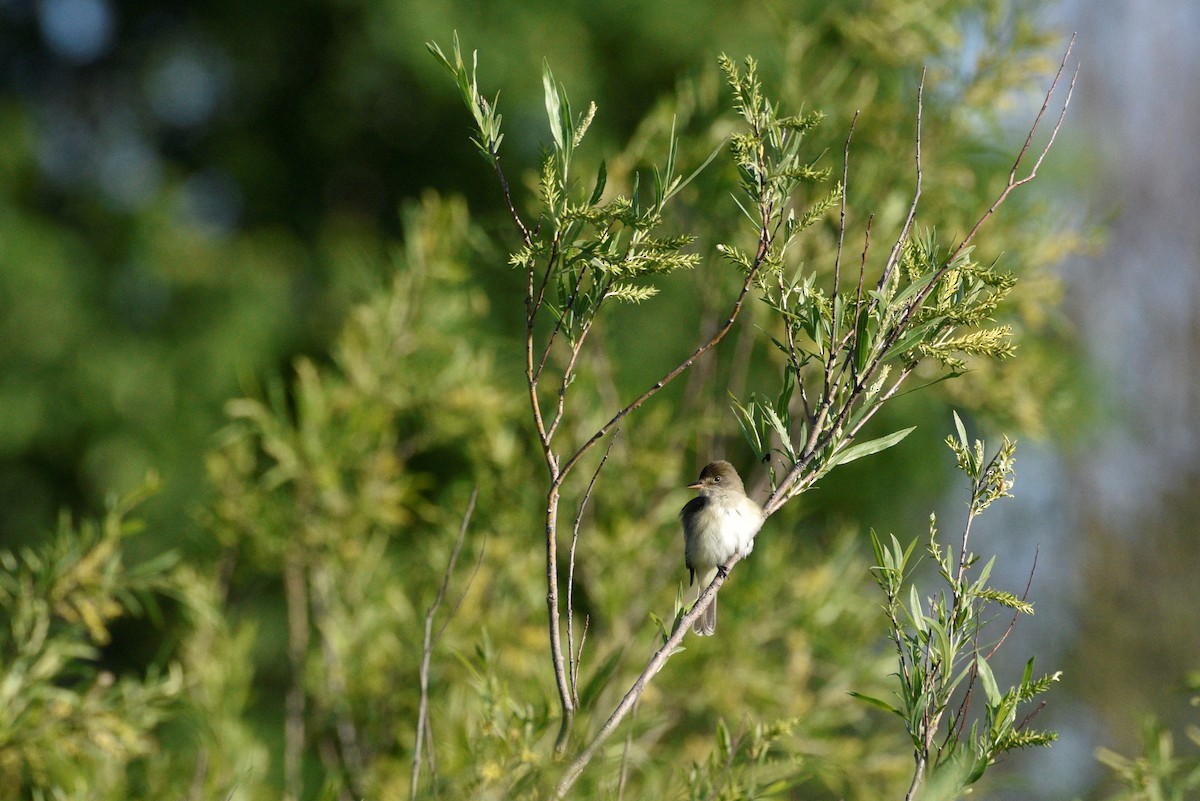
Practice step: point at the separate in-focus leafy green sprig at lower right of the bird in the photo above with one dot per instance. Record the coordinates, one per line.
(943, 664)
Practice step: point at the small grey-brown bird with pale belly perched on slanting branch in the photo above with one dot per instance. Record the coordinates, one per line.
(717, 525)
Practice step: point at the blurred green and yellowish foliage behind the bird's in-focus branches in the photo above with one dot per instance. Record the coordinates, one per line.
(322, 519)
